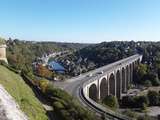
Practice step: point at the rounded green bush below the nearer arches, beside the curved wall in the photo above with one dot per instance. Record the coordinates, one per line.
(111, 101)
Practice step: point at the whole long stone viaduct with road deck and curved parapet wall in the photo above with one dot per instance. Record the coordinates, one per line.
(112, 79)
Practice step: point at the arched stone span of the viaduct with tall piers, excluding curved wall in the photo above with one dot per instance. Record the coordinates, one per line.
(115, 81)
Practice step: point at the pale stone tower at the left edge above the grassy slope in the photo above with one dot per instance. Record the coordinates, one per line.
(3, 52)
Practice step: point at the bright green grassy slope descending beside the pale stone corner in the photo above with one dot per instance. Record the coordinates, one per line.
(24, 96)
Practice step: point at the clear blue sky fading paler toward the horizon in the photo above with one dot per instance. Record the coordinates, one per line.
(83, 21)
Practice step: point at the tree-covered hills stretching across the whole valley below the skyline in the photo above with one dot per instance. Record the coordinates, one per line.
(84, 57)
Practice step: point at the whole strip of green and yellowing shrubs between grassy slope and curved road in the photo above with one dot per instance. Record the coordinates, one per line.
(65, 106)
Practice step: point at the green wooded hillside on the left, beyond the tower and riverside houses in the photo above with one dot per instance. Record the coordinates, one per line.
(21, 54)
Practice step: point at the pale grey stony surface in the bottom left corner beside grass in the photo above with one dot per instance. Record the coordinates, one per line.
(10, 109)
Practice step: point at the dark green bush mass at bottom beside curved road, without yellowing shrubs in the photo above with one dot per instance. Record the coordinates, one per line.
(65, 106)
